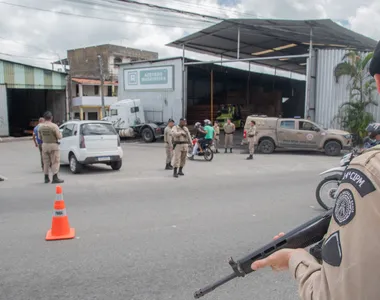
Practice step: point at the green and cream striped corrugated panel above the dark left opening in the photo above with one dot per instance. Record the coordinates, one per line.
(19, 76)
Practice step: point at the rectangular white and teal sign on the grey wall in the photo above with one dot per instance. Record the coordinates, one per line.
(157, 78)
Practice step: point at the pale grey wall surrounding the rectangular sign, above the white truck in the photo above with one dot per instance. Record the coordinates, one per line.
(155, 101)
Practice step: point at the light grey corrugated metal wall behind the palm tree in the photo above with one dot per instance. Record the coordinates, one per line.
(331, 95)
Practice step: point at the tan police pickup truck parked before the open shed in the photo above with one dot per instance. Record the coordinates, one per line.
(296, 134)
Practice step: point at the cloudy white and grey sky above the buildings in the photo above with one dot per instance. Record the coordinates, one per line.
(40, 31)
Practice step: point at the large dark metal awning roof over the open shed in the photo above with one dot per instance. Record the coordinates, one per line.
(246, 39)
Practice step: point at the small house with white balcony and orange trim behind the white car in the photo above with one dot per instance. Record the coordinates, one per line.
(86, 103)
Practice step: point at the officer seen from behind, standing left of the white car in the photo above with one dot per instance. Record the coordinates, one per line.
(50, 134)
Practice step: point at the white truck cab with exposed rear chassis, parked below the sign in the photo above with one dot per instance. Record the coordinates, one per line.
(128, 118)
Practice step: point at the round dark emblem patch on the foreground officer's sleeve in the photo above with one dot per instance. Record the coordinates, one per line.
(345, 208)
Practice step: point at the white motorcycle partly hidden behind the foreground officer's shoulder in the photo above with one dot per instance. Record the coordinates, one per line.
(327, 188)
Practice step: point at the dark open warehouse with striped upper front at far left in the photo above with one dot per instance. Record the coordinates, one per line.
(26, 92)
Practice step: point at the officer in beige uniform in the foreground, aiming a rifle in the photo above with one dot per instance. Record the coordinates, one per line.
(350, 267)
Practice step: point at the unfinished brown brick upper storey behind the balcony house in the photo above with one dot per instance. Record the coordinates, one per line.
(84, 61)
